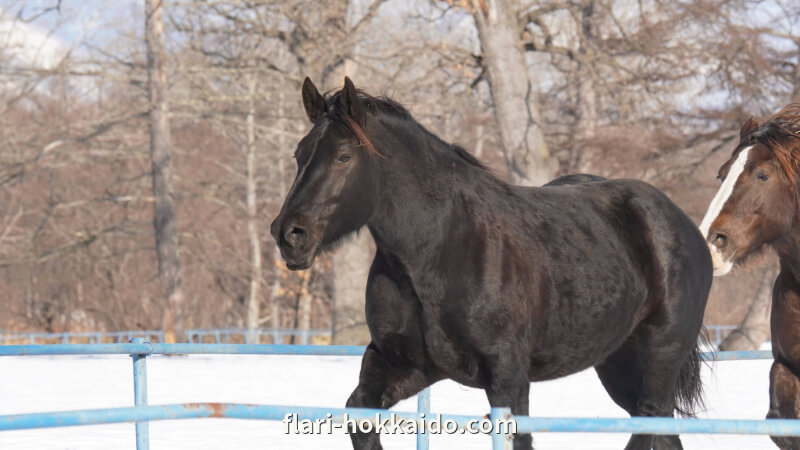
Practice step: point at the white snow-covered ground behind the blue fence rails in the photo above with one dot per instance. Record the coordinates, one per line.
(38, 384)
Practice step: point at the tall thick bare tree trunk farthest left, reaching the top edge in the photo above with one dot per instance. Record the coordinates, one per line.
(169, 266)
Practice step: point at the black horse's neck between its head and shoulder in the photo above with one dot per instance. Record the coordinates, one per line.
(427, 183)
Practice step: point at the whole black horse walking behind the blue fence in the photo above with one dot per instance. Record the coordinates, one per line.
(494, 285)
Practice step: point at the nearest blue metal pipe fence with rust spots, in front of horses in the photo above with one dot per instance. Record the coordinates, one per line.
(141, 413)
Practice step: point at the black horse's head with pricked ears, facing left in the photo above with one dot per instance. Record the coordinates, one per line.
(337, 183)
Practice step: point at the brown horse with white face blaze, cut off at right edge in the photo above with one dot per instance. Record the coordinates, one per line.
(758, 207)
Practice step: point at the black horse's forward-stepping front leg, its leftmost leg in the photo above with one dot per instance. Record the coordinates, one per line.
(381, 385)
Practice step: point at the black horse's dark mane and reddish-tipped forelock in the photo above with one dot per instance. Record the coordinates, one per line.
(381, 106)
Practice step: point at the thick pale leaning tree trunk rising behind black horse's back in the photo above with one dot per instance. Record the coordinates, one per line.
(516, 112)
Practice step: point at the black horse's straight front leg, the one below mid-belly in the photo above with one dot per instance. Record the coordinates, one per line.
(510, 387)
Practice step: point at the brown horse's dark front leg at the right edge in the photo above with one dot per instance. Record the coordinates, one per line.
(784, 389)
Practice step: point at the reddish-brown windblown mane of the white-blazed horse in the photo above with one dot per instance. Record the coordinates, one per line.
(781, 134)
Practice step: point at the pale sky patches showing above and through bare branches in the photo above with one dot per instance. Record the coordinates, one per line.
(42, 39)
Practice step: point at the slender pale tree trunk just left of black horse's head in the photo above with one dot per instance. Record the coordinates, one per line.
(253, 299)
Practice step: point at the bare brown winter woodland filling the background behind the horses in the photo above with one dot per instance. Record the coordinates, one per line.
(651, 90)
